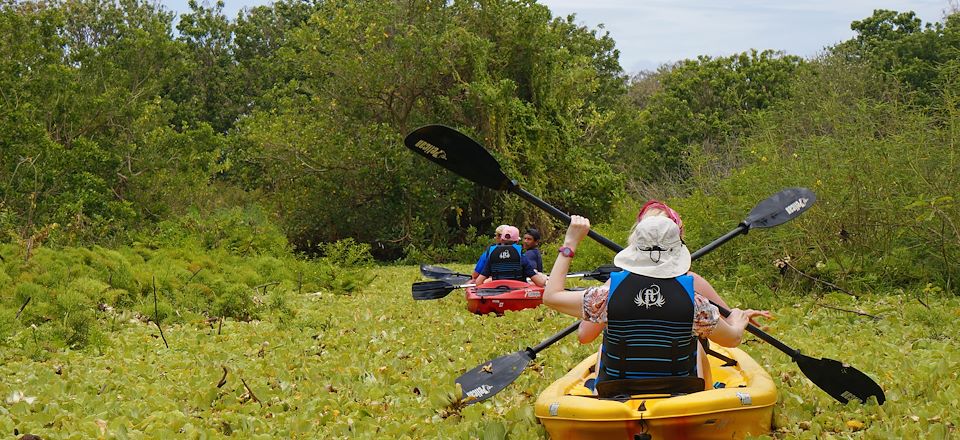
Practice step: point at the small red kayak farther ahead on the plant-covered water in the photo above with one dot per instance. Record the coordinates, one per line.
(498, 296)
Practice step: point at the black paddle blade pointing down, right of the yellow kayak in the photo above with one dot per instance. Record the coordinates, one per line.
(840, 381)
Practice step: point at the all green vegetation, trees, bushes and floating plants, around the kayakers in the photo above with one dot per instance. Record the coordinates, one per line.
(235, 182)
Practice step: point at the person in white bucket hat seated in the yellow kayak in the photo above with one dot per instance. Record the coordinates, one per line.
(651, 312)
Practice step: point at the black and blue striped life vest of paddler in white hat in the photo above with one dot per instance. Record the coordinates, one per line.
(649, 329)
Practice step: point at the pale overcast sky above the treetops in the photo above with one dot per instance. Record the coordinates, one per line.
(653, 32)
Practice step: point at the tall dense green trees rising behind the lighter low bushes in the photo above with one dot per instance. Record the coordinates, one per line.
(118, 118)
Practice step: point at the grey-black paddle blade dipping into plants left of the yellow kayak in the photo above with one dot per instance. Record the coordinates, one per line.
(489, 378)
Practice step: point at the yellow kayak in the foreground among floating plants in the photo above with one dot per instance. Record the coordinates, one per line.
(744, 406)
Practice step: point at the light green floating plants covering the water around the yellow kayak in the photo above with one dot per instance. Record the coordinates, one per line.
(377, 363)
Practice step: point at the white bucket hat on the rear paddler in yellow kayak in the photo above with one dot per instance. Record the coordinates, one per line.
(655, 250)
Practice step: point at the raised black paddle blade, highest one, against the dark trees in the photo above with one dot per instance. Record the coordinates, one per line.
(456, 152)
